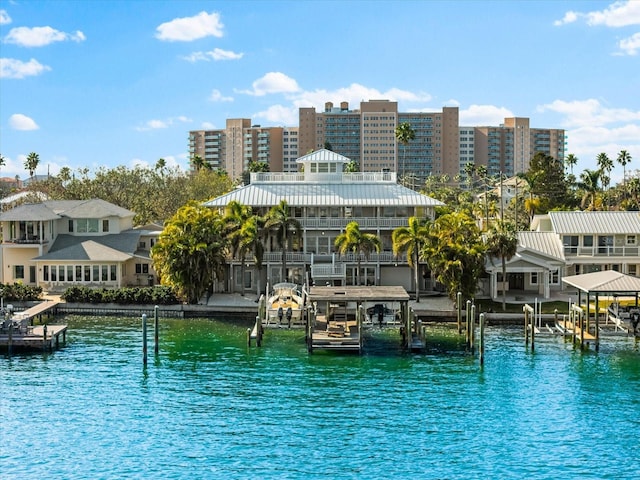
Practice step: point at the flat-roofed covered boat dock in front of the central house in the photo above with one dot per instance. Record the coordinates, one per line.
(337, 315)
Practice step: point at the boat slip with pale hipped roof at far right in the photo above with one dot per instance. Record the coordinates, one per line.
(601, 286)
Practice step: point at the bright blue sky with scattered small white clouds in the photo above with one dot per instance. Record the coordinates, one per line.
(105, 83)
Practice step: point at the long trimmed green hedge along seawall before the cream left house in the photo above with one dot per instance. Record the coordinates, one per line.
(158, 295)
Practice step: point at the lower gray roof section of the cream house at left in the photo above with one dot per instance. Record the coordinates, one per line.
(115, 247)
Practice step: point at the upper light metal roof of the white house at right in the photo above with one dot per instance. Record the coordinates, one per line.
(611, 223)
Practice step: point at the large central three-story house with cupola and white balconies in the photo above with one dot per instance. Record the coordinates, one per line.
(324, 199)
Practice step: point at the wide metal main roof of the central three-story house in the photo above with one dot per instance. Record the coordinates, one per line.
(329, 194)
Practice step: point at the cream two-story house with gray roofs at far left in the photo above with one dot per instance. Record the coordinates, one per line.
(61, 243)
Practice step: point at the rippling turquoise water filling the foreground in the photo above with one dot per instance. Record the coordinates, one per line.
(209, 407)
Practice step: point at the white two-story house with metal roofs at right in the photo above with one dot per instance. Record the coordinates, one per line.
(566, 244)
